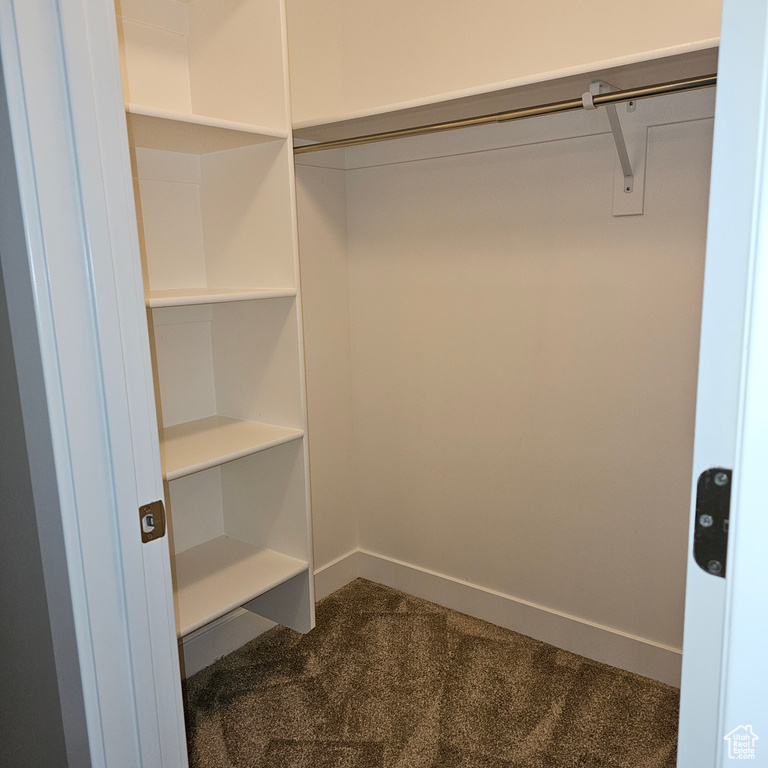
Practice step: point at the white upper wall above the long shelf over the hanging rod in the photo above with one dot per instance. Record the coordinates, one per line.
(354, 56)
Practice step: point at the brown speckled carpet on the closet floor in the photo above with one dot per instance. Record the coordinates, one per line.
(390, 681)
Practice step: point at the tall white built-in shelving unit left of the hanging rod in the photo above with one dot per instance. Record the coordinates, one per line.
(208, 122)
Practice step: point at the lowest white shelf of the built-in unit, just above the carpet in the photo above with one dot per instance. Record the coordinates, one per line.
(220, 575)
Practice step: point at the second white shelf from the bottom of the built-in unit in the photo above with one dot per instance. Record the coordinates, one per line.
(197, 445)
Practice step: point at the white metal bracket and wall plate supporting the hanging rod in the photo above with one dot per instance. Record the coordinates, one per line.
(629, 184)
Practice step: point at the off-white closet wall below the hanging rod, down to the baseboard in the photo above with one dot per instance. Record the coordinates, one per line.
(523, 364)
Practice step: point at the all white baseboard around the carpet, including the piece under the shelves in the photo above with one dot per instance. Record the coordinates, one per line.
(610, 646)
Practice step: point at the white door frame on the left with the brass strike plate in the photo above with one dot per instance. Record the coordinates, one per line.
(73, 274)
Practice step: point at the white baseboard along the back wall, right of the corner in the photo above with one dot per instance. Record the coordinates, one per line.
(610, 646)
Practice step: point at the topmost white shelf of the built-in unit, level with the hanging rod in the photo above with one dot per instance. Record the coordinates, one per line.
(152, 128)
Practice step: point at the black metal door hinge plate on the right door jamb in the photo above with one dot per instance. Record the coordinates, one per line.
(713, 508)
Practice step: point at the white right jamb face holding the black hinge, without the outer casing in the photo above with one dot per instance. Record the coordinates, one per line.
(740, 119)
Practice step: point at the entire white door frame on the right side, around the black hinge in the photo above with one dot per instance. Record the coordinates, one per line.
(720, 666)
